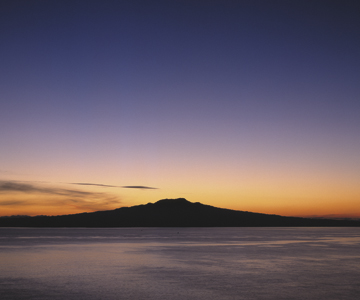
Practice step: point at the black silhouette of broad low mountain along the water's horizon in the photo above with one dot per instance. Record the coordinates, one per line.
(171, 213)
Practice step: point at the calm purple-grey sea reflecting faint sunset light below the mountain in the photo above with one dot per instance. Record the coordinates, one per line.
(179, 263)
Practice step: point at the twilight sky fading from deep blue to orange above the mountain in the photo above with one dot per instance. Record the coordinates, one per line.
(247, 105)
